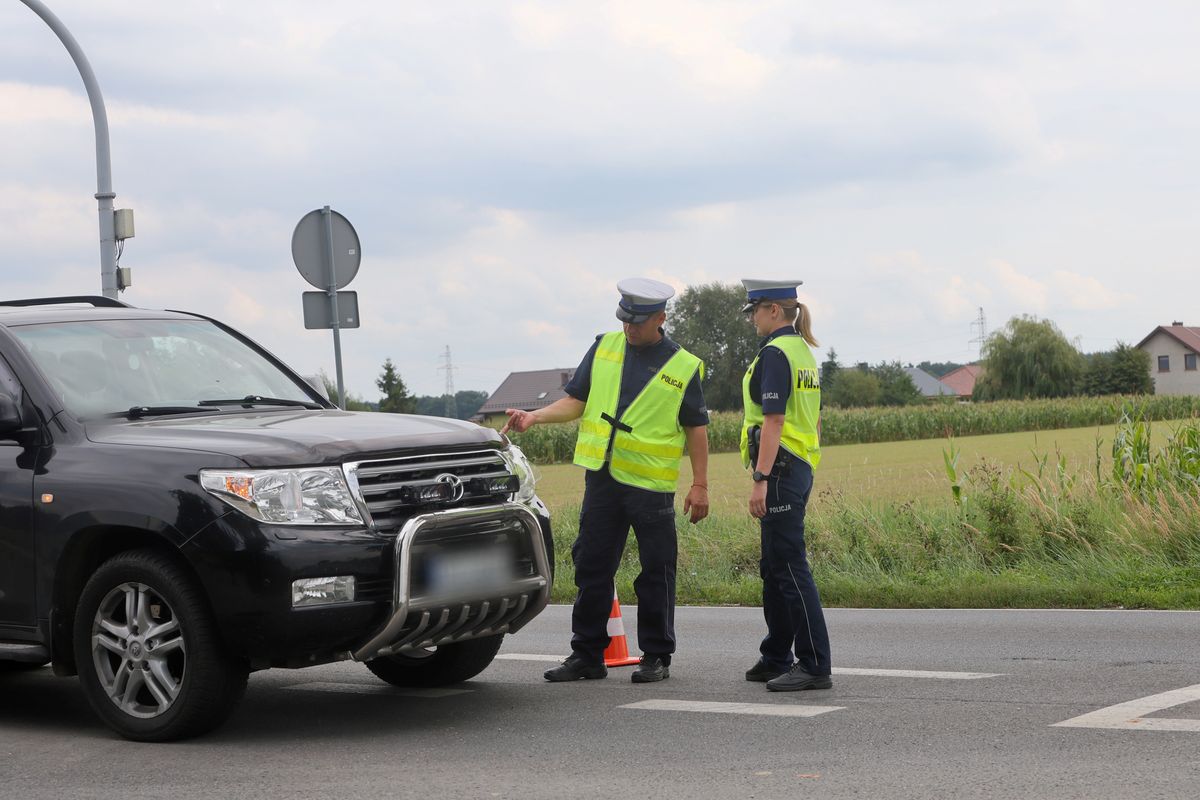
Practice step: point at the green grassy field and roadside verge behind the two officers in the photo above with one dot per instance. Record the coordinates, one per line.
(1037, 525)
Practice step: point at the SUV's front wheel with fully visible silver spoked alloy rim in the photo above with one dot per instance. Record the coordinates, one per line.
(151, 660)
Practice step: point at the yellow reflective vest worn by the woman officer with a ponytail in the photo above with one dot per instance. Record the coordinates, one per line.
(803, 410)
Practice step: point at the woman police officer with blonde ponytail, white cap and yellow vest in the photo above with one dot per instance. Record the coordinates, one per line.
(781, 443)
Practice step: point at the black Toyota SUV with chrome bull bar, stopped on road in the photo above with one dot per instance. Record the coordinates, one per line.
(178, 508)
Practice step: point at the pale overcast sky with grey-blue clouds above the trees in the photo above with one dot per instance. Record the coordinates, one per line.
(506, 164)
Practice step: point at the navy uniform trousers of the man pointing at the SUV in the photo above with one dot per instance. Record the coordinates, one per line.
(609, 512)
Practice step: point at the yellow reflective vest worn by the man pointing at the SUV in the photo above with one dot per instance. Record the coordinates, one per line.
(647, 441)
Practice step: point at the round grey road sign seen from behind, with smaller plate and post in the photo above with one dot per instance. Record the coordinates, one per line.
(328, 254)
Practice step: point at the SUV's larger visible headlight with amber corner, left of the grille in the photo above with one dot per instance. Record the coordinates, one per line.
(290, 497)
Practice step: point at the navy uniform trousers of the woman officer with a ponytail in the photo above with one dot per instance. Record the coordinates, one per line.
(790, 600)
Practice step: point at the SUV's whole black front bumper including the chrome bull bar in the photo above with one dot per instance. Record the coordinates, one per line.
(248, 569)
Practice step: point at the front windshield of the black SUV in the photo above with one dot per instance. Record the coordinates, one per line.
(111, 366)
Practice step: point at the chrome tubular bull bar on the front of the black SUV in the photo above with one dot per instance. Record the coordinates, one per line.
(422, 618)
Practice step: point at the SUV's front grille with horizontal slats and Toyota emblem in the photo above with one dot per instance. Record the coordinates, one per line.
(394, 489)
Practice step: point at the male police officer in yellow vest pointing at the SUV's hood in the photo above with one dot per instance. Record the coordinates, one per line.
(640, 399)
